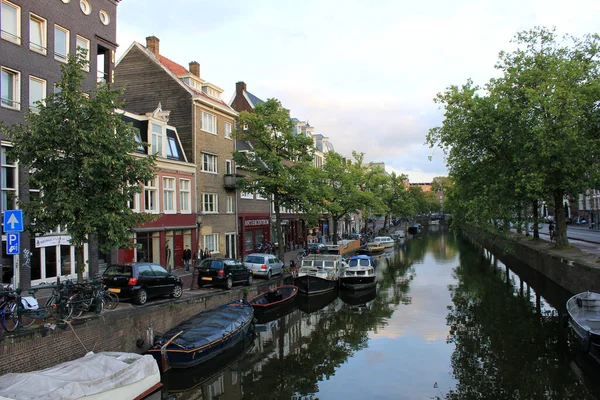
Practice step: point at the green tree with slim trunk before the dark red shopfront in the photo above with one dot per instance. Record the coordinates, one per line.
(279, 167)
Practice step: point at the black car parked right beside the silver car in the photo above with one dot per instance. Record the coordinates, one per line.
(223, 272)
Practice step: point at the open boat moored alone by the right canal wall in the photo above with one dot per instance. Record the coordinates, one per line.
(583, 310)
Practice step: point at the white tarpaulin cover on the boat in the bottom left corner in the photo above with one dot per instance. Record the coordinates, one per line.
(87, 377)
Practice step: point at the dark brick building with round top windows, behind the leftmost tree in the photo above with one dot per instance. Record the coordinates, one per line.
(36, 39)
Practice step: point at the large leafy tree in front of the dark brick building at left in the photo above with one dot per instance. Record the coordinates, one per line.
(80, 155)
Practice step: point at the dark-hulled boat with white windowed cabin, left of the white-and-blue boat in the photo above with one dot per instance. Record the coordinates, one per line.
(319, 273)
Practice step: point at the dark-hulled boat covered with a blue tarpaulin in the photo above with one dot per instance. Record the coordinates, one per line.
(204, 336)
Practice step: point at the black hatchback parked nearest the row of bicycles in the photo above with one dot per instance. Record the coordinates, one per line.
(141, 281)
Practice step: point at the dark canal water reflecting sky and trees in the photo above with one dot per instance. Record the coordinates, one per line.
(448, 320)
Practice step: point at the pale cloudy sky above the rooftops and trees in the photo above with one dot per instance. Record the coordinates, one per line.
(364, 74)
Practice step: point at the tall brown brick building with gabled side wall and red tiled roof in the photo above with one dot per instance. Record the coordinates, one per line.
(204, 125)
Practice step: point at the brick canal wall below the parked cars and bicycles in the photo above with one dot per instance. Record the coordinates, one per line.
(124, 329)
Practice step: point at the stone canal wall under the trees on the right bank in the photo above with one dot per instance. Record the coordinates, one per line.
(573, 269)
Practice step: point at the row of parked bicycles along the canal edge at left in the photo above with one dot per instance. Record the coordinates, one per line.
(67, 299)
